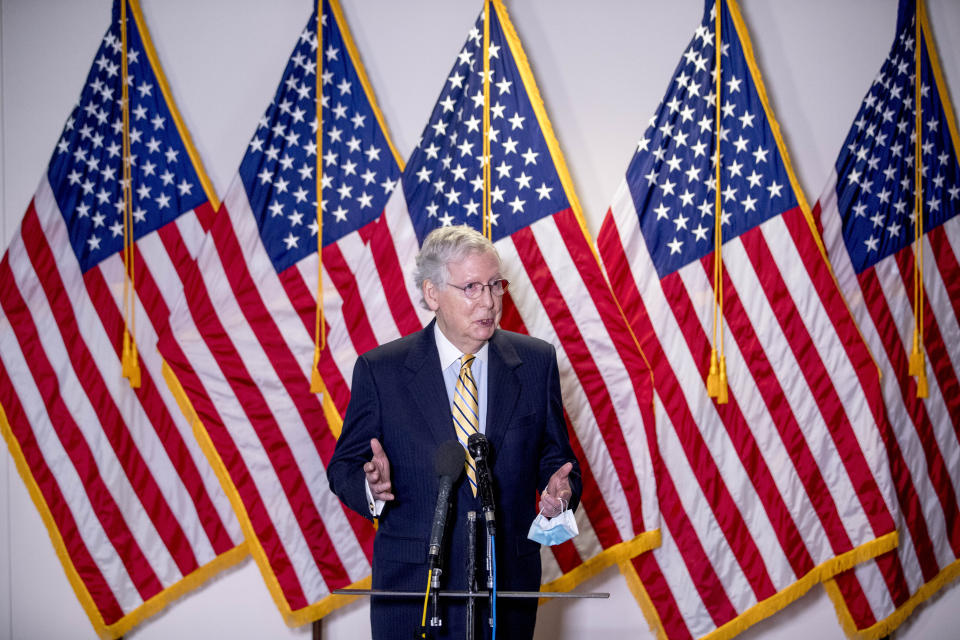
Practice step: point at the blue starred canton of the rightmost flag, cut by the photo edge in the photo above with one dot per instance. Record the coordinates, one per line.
(875, 168)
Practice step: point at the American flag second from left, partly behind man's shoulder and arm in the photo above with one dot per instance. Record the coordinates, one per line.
(245, 329)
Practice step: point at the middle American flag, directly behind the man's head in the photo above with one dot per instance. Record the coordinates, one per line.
(557, 289)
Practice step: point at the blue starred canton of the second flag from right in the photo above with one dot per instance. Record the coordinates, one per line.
(672, 176)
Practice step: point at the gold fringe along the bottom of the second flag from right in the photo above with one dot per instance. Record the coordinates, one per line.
(821, 573)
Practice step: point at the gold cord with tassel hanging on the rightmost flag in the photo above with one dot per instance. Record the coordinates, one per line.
(917, 360)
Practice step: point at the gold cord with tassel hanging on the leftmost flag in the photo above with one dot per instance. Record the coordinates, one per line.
(129, 362)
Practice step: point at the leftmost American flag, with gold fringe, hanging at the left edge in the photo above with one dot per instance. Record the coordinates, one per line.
(136, 514)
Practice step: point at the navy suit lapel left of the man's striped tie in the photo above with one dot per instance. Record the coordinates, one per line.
(425, 385)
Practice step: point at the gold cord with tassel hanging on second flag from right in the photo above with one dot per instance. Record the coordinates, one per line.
(717, 376)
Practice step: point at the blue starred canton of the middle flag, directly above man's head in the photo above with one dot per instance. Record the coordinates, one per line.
(443, 182)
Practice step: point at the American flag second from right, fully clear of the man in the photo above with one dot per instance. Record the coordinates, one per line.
(773, 491)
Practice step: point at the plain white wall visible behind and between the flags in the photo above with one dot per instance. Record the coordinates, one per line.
(602, 67)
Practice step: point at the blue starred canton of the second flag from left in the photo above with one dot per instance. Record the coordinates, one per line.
(279, 168)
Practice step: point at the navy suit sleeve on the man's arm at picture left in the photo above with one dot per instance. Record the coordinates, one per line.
(362, 422)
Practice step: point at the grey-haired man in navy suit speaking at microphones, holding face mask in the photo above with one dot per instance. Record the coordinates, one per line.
(459, 376)
